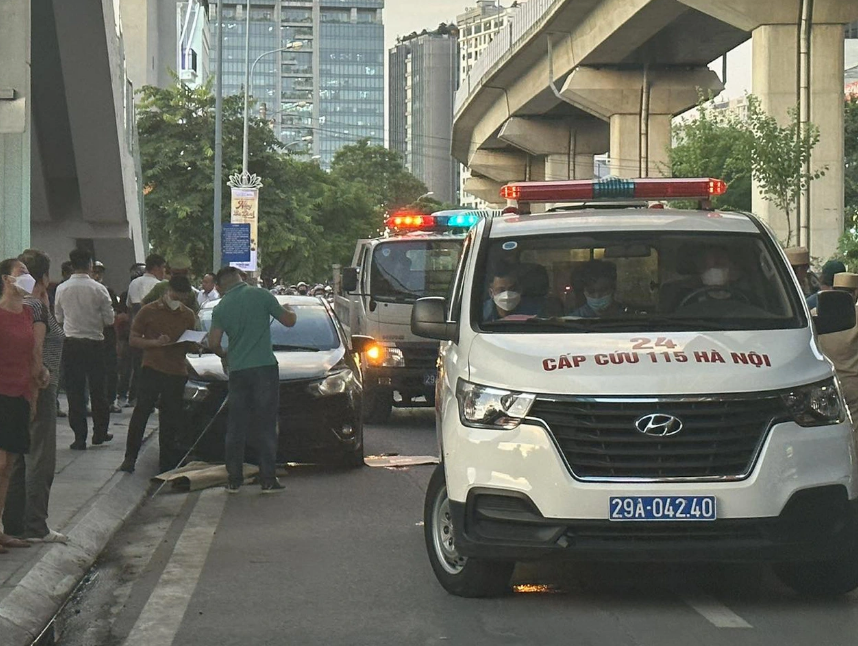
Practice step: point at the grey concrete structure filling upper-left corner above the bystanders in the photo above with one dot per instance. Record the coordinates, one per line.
(68, 175)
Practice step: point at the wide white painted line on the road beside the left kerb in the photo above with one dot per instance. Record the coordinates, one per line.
(163, 613)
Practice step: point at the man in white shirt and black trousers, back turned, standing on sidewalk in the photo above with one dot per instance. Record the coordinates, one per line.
(84, 308)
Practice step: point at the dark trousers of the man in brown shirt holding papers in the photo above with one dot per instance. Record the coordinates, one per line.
(153, 387)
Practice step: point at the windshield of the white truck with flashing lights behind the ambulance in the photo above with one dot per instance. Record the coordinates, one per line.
(406, 271)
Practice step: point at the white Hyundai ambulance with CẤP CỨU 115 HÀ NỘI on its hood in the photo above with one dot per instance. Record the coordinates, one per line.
(625, 381)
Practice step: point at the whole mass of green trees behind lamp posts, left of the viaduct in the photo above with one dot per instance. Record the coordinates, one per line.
(308, 219)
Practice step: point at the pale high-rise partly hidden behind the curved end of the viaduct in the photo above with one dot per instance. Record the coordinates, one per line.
(477, 28)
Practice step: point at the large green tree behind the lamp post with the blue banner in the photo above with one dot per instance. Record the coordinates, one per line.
(176, 126)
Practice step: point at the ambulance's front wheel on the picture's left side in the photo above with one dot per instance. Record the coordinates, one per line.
(459, 575)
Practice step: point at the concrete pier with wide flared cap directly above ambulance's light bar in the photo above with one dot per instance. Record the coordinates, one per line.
(617, 96)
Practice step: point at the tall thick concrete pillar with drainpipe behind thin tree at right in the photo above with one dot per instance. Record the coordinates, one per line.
(775, 82)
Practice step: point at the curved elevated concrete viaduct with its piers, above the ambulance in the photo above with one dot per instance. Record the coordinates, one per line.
(574, 78)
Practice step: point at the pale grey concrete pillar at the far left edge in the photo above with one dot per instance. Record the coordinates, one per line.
(15, 128)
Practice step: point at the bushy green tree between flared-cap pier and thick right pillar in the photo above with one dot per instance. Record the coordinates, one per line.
(716, 143)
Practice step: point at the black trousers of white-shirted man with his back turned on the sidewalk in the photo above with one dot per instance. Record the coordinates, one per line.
(83, 361)
